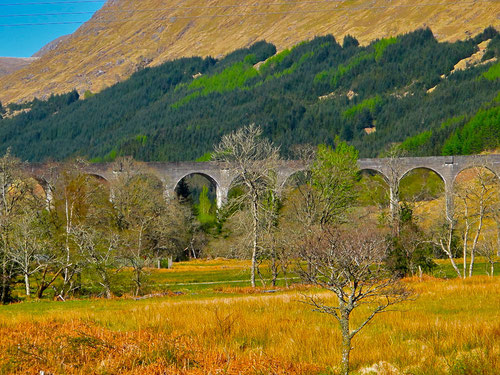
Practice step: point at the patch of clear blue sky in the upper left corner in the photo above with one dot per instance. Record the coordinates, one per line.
(24, 41)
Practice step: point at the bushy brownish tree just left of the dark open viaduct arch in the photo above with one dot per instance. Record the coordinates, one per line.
(148, 224)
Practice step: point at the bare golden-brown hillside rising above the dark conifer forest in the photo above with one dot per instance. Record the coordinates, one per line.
(126, 35)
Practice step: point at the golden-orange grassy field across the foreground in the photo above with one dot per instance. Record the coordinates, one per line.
(452, 327)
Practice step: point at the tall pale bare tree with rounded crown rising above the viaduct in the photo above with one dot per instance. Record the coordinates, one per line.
(254, 161)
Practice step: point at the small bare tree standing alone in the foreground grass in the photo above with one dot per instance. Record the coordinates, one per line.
(350, 265)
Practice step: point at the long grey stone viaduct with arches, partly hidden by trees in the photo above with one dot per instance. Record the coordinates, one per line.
(392, 170)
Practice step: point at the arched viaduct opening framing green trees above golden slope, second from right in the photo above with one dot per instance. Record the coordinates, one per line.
(422, 196)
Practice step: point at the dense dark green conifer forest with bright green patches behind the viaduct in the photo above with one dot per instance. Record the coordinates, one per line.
(396, 90)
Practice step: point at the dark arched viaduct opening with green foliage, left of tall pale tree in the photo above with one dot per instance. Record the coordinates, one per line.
(199, 190)
